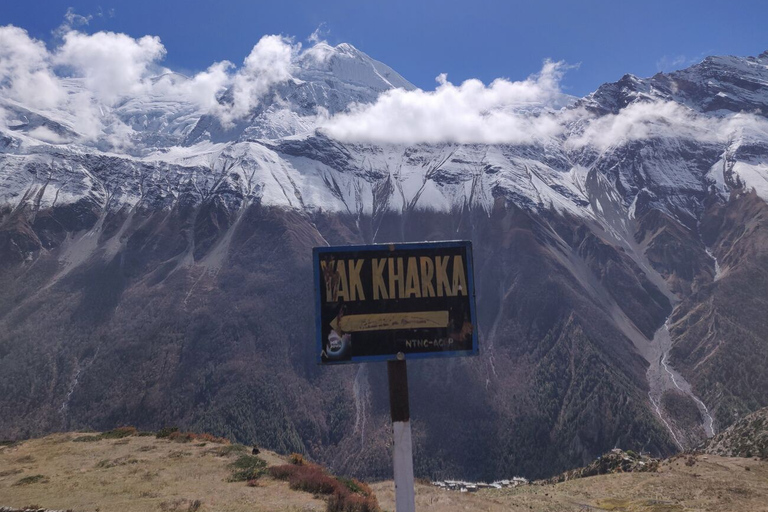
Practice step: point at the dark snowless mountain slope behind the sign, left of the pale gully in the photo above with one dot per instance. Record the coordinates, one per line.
(160, 331)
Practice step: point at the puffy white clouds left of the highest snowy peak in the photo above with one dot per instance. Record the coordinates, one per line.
(109, 68)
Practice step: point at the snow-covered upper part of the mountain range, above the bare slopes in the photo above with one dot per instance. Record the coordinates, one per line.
(285, 150)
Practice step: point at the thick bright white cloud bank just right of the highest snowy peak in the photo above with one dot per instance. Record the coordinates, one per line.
(502, 112)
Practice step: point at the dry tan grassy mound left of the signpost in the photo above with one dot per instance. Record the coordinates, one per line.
(145, 474)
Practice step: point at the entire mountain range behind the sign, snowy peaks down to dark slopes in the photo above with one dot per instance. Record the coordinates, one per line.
(620, 268)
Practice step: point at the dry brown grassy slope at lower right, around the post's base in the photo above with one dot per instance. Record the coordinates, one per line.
(712, 484)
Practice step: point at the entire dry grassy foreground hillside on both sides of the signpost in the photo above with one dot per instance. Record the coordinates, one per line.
(104, 473)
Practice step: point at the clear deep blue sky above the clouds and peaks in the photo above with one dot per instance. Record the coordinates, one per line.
(420, 39)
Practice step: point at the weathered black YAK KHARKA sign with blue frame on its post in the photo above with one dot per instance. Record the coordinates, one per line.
(392, 303)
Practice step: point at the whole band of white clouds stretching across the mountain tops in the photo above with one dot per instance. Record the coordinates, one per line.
(109, 68)
